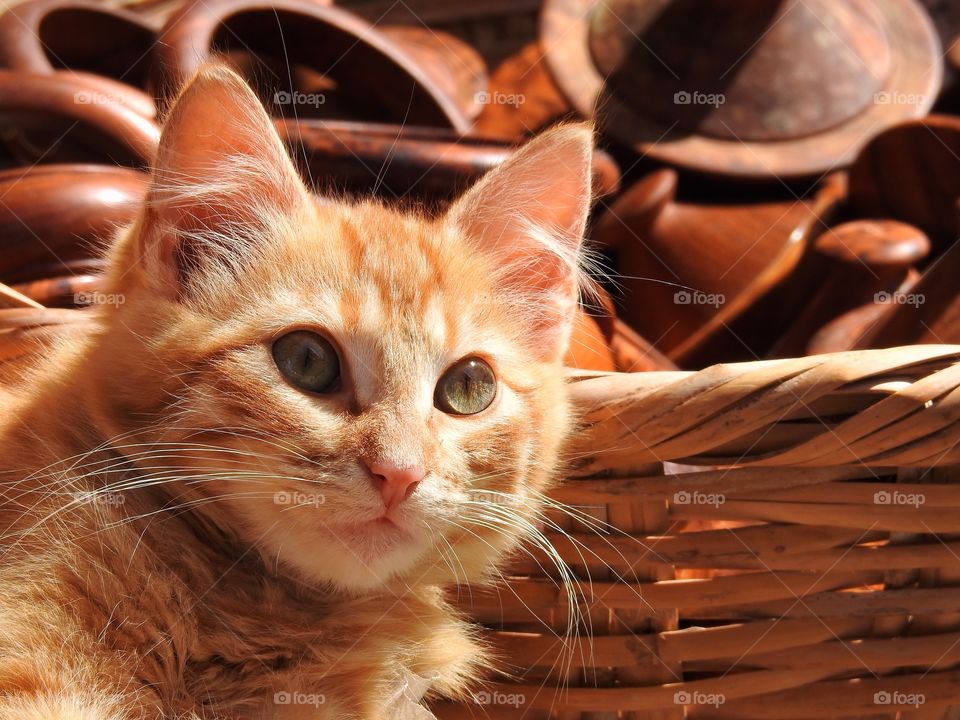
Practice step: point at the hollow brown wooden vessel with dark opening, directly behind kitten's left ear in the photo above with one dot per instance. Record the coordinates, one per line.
(339, 63)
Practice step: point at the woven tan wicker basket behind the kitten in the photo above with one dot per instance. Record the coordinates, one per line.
(807, 567)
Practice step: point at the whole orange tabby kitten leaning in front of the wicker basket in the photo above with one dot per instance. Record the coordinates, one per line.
(240, 495)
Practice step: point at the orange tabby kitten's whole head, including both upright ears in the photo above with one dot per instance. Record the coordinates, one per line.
(363, 397)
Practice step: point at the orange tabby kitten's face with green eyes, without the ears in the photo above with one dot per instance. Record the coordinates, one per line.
(400, 304)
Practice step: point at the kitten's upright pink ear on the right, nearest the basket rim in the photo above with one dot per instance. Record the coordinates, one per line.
(531, 213)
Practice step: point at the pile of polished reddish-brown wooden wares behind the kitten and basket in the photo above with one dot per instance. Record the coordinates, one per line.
(774, 178)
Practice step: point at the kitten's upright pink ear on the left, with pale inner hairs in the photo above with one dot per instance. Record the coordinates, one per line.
(222, 181)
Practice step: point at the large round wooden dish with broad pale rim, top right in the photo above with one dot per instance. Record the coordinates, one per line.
(761, 89)
